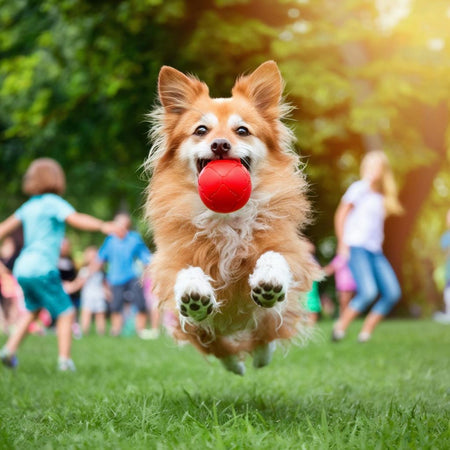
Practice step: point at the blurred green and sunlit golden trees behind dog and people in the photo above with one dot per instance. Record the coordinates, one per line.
(77, 78)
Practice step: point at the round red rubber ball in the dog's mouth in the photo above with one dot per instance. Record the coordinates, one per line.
(224, 185)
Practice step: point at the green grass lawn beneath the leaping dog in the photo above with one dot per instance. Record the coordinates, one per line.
(390, 393)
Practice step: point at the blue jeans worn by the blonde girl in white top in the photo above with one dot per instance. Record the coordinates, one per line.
(374, 276)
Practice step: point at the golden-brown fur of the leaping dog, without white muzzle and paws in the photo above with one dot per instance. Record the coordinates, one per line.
(227, 247)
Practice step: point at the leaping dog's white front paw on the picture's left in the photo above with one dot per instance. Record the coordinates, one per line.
(194, 294)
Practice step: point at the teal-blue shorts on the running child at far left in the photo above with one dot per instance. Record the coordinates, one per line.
(45, 291)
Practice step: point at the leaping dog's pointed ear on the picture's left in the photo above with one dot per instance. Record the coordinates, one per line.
(177, 90)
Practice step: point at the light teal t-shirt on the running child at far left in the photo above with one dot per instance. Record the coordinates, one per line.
(43, 220)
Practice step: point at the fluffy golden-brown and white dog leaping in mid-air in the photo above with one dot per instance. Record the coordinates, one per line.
(233, 280)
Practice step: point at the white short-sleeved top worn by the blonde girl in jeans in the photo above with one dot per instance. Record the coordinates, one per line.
(364, 226)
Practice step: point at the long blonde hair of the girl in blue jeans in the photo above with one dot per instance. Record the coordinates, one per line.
(386, 185)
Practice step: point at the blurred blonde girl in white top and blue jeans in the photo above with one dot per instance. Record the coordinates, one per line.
(359, 224)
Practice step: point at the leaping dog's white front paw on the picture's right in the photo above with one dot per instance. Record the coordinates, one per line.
(271, 279)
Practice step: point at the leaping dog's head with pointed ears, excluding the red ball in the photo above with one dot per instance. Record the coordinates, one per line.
(193, 128)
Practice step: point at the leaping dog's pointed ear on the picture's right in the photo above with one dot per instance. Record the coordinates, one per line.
(263, 87)
